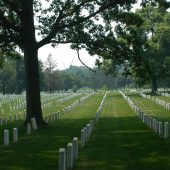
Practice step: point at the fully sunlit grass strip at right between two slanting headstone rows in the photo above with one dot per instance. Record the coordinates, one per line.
(148, 106)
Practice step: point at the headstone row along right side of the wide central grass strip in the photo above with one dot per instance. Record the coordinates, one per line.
(162, 128)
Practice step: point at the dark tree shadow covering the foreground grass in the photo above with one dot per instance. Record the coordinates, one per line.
(121, 143)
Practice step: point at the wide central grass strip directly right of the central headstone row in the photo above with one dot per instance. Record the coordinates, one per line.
(122, 142)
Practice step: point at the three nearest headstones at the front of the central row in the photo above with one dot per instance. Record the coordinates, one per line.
(68, 156)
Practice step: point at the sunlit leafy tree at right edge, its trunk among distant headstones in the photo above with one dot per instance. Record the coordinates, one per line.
(152, 63)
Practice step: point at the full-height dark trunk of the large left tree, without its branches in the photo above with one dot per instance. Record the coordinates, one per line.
(33, 102)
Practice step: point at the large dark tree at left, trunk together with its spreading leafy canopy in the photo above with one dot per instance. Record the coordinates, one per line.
(62, 21)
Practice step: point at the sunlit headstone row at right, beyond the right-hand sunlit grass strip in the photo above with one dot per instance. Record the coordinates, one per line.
(156, 100)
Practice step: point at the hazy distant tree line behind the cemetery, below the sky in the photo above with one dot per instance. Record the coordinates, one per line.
(12, 77)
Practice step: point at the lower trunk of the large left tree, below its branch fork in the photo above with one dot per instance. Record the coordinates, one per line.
(33, 107)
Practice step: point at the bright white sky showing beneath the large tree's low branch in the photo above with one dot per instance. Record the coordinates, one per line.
(64, 56)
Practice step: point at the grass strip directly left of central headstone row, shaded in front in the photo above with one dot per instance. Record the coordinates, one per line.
(40, 150)
